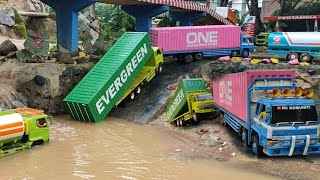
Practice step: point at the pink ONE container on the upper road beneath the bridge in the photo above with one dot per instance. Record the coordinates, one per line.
(176, 39)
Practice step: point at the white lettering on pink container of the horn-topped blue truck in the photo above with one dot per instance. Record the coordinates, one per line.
(225, 92)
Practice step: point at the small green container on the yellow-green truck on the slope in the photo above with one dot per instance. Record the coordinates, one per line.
(178, 103)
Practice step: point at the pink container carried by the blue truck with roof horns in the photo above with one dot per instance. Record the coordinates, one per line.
(230, 92)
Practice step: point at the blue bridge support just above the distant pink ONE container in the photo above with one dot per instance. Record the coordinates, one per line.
(186, 18)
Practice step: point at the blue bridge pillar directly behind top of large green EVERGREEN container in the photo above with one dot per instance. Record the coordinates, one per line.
(144, 14)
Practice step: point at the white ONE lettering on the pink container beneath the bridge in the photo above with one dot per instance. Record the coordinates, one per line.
(200, 39)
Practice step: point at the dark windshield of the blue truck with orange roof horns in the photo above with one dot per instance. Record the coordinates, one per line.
(293, 114)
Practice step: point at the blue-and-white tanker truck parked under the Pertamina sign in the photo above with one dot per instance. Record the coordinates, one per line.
(303, 46)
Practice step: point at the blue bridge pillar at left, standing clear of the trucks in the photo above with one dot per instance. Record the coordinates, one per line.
(67, 21)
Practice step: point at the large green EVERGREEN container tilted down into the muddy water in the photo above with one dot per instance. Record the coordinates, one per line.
(96, 94)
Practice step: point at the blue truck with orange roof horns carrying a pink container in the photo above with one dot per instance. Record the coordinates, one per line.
(269, 112)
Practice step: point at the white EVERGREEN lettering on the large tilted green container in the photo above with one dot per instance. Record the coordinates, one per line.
(114, 88)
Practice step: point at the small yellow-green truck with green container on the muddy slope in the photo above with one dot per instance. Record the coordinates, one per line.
(190, 100)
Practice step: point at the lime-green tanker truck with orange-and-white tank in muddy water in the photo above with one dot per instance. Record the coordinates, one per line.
(22, 128)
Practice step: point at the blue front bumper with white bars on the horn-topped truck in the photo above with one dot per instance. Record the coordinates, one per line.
(294, 145)
